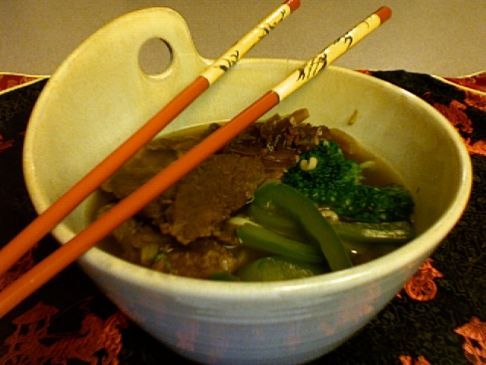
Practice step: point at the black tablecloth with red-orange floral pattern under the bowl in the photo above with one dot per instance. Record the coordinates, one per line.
(438, 318)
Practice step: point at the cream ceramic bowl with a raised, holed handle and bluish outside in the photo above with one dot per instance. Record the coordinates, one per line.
(100, 95)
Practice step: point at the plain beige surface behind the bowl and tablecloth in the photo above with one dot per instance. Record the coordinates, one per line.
(443, 37)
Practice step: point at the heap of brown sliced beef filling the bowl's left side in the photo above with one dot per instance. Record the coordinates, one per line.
(183, 231)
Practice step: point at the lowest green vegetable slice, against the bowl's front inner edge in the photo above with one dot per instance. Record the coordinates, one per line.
(278, 268)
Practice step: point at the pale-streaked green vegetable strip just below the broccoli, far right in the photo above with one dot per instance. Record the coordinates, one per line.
(387, 232)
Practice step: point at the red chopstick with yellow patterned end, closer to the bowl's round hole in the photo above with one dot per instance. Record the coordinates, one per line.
(46, 221)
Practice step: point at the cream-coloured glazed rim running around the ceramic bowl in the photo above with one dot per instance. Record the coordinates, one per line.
(401, 258)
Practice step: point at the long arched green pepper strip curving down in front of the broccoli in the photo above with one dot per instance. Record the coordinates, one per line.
(284, 200)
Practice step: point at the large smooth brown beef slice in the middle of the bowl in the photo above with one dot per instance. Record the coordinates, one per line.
(210, 194)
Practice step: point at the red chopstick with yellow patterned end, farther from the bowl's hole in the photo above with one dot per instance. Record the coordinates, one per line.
(133, 203)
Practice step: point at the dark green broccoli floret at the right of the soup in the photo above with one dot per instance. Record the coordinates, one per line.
(336, 182)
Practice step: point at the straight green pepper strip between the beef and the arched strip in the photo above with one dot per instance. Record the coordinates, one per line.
(265, 240)
